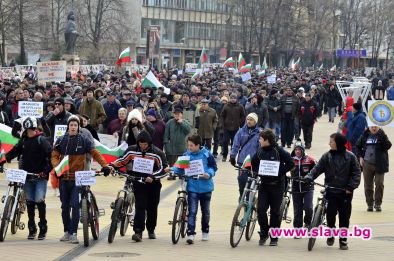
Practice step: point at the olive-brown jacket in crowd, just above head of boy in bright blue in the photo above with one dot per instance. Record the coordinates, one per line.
(206, 123)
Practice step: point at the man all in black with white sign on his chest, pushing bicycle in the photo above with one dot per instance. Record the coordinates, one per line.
(270, 156)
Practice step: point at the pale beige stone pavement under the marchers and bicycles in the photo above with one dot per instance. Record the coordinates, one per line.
(224, 202)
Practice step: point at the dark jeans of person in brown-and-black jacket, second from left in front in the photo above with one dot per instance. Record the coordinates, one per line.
(69, 196)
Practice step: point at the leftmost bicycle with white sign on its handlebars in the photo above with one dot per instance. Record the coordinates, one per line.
(14, 202)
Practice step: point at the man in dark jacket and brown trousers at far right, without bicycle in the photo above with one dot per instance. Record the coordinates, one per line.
(372, 149)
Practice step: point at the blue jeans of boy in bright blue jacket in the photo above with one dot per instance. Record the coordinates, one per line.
(205, 201)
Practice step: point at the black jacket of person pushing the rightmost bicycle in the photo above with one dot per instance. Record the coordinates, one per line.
(341, 169)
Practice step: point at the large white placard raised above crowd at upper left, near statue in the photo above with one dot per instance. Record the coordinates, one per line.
(54, 71)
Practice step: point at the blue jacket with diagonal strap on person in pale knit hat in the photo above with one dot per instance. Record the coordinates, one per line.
(249, 147)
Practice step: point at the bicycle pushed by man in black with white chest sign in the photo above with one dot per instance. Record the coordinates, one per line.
(245, 216)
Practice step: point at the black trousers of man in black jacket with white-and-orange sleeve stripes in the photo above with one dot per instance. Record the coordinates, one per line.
(147, 198)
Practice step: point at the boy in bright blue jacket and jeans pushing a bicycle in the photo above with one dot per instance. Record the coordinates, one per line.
(198, 189)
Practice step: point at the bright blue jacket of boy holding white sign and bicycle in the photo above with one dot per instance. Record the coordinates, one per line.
(200, 185)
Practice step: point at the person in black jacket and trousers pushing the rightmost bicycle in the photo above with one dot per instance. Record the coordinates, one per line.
(342, 175)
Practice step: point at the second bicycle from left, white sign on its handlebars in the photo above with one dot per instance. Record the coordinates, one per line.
(89, 211)
